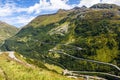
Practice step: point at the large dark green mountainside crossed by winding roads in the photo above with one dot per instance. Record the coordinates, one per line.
(95, 30)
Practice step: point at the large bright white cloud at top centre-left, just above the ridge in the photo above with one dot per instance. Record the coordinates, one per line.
(51, 5)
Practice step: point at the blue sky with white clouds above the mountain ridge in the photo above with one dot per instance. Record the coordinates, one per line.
(21, 12)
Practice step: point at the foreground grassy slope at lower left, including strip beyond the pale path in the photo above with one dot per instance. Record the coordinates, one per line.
(10, 69)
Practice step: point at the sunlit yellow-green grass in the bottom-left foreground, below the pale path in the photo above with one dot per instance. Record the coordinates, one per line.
(17, 71)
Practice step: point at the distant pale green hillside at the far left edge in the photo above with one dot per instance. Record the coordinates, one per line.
(6, 31)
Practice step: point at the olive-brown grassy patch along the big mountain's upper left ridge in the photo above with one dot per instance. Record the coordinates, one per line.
(48, 19)
